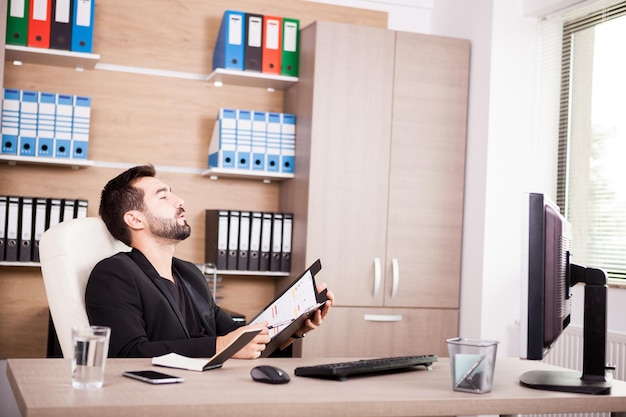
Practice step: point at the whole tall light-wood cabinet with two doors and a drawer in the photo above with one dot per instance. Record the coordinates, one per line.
(378, 190)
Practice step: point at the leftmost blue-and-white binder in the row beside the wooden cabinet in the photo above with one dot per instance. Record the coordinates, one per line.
(224, 141)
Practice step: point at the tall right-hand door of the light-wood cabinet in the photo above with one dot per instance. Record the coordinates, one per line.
(426, 180)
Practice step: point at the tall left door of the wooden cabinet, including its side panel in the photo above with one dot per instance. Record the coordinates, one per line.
(352, 75)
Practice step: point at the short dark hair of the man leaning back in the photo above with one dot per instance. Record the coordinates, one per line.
(120, 196)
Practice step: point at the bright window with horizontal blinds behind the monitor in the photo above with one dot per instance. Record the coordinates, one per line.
(591, 177)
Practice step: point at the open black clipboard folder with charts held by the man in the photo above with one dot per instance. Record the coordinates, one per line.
(288, 312)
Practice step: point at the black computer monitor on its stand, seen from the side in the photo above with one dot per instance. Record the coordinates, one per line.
(547, 276)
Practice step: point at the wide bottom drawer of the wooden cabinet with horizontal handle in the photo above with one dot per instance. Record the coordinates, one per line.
(356, 332)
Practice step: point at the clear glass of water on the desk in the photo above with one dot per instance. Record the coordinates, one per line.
(91, 347)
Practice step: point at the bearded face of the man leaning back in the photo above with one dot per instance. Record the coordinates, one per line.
(164, 210)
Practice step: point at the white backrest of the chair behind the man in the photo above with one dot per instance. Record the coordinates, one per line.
(68, 252)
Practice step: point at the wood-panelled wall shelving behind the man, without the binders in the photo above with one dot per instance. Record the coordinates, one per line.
(141, 117)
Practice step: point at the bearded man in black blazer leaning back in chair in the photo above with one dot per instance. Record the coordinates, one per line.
(153, 302)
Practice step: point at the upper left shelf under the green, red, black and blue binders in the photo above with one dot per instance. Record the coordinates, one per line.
(55, 57)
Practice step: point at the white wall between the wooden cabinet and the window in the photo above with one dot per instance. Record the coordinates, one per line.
(505, 156)
